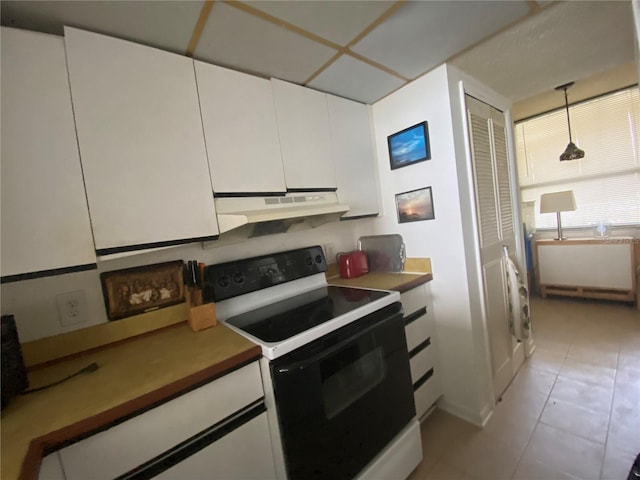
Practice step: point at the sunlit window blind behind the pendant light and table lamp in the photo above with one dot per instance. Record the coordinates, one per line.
(606, 182)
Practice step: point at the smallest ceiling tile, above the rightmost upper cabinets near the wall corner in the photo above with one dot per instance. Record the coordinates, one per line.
(351, 78)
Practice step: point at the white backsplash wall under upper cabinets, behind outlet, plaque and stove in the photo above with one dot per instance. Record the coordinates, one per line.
(34, 304)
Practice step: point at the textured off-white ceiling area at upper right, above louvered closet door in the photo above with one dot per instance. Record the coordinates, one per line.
(540, 53)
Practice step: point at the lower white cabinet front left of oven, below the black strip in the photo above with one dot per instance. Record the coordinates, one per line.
(243, 454)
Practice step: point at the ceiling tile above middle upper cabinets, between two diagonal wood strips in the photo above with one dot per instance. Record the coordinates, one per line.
(239, 40)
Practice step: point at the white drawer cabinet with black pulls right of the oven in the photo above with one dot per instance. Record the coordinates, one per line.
(420, 332)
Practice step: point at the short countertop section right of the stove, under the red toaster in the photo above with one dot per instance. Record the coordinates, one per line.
(417, 271)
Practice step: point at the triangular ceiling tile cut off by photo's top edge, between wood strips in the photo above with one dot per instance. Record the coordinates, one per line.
(339, 22)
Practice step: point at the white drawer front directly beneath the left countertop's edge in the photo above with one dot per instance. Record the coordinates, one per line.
(123, 447)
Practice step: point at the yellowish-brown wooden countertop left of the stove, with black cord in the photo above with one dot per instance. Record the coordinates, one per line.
(132, 375)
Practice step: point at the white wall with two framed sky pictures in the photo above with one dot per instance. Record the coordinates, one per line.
(440, 239)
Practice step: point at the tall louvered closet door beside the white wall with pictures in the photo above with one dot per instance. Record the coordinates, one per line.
(495, 228)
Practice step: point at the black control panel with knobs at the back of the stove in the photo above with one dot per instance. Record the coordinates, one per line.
(248, 275)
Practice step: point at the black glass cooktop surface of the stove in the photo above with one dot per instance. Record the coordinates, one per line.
(287, 318)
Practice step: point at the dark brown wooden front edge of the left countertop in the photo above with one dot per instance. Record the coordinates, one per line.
(59, 438)
